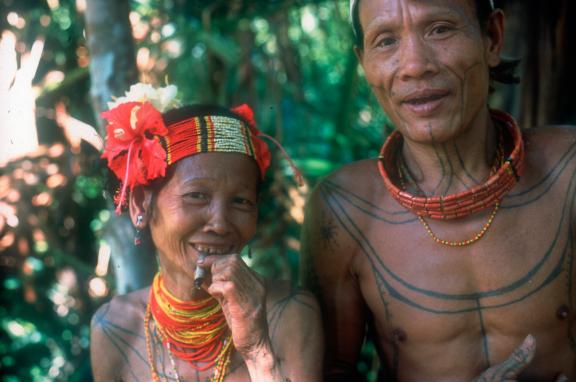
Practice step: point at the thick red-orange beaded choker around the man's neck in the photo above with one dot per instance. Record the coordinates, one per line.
(466, 202)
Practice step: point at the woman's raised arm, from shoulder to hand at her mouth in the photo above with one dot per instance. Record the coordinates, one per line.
(277, 334)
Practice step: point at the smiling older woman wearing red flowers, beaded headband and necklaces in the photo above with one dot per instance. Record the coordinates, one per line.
(191, 177)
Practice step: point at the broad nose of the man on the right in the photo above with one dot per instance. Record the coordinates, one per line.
(416, 59)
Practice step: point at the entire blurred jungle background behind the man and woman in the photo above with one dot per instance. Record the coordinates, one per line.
(63, 252)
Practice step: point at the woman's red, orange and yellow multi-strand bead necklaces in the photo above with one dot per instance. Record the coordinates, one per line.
(192, 331)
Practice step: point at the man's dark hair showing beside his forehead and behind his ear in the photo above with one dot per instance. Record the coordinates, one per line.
(503, 72)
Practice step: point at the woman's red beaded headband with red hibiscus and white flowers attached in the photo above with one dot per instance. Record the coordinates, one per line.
(139, 146)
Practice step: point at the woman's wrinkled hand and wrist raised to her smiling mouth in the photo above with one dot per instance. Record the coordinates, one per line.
(242, 294)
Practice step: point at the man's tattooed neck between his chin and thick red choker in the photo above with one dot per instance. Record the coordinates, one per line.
(451, 166)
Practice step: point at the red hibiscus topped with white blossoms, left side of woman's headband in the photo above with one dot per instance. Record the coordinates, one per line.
(133, 149)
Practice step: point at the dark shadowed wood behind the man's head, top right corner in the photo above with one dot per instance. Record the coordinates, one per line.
(542, 36)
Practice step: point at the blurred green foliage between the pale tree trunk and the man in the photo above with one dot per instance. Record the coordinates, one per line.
(296, 67)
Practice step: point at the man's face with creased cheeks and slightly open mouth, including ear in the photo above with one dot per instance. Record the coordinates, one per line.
(427, 63)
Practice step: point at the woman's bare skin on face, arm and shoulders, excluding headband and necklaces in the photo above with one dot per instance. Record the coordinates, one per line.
(209, 205)
